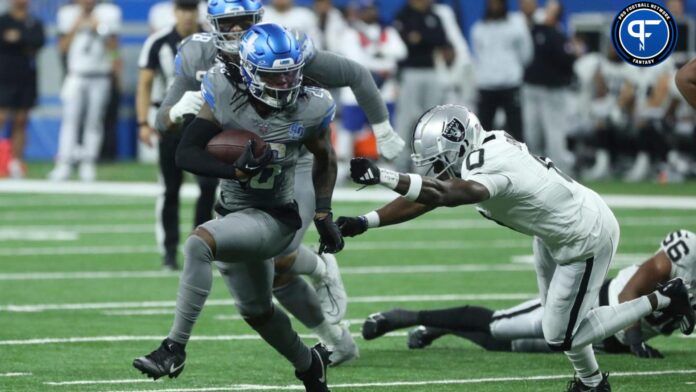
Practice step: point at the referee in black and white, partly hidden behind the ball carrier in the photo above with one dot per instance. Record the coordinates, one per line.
(156, 74)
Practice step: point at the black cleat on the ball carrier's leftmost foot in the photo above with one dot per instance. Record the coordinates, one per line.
(167, 360)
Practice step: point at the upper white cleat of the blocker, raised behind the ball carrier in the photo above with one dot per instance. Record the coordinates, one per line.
(331, 292)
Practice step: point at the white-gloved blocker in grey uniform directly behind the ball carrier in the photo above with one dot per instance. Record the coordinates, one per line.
(229, 20)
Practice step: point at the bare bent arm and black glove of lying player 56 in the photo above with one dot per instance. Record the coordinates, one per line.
(651, 273)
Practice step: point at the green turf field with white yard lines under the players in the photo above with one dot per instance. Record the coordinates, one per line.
(81, 295)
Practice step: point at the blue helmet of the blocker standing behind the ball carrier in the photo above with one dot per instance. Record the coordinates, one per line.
(225, 15)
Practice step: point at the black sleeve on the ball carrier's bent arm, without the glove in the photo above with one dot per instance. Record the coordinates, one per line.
(192, 156)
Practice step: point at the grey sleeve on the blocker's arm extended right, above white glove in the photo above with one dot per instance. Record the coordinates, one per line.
(335, 71)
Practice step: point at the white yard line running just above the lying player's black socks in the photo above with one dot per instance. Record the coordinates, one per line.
(229, 302)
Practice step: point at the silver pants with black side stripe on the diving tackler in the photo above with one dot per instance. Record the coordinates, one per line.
(569, 291)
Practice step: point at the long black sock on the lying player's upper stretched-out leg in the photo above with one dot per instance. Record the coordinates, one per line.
(461, 319)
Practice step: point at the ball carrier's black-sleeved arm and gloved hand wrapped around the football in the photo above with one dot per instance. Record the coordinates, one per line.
(192, 156)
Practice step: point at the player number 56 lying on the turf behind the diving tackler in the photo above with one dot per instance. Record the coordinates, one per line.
(519, 328)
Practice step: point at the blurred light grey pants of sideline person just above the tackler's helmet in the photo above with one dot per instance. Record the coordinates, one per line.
(420, 90)
